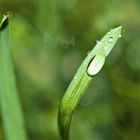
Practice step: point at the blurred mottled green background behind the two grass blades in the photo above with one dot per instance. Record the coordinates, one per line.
(50, 38)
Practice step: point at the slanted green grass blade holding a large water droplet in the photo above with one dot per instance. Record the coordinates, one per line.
(91, 65)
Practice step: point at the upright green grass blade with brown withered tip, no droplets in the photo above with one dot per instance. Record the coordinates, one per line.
(9, 102)
